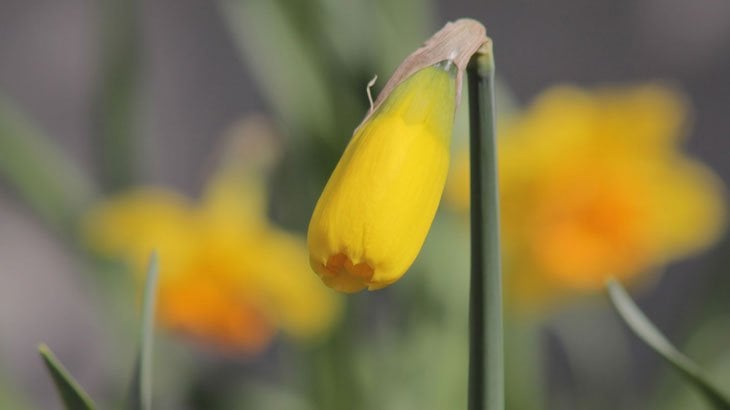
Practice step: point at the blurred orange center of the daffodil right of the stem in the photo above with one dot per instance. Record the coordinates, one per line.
(588, 231)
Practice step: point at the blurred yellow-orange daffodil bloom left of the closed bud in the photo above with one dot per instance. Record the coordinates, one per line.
(228, 277)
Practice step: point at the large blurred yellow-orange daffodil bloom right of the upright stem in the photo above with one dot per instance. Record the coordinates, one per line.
(594, 183)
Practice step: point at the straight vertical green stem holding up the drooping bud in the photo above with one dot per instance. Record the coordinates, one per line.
(486, 361)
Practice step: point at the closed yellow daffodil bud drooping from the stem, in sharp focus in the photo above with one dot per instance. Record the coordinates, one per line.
(377, 207)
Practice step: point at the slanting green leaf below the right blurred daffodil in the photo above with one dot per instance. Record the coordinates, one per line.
(646, 331)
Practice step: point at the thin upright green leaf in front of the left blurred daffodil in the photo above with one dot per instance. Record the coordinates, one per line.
(141, 394)
